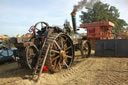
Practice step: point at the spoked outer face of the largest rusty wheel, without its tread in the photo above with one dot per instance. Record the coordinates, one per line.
(61, 53)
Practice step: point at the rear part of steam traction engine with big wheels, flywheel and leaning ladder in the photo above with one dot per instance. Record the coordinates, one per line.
(47, 46)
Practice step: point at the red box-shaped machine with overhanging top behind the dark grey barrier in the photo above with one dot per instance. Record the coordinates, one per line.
(98, 30)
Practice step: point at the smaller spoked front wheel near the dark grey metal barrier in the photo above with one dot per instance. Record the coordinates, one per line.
(85, 49)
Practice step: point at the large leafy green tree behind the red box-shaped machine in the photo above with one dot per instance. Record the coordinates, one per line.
(103, 12)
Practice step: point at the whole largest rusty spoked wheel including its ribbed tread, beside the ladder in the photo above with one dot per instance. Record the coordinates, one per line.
(61, 52)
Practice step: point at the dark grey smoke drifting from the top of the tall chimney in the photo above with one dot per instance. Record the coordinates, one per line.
(84, 3)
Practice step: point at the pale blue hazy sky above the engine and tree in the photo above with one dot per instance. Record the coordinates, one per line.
(16, 16)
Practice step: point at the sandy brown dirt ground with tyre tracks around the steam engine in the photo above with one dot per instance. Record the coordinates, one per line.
(87, 71)
